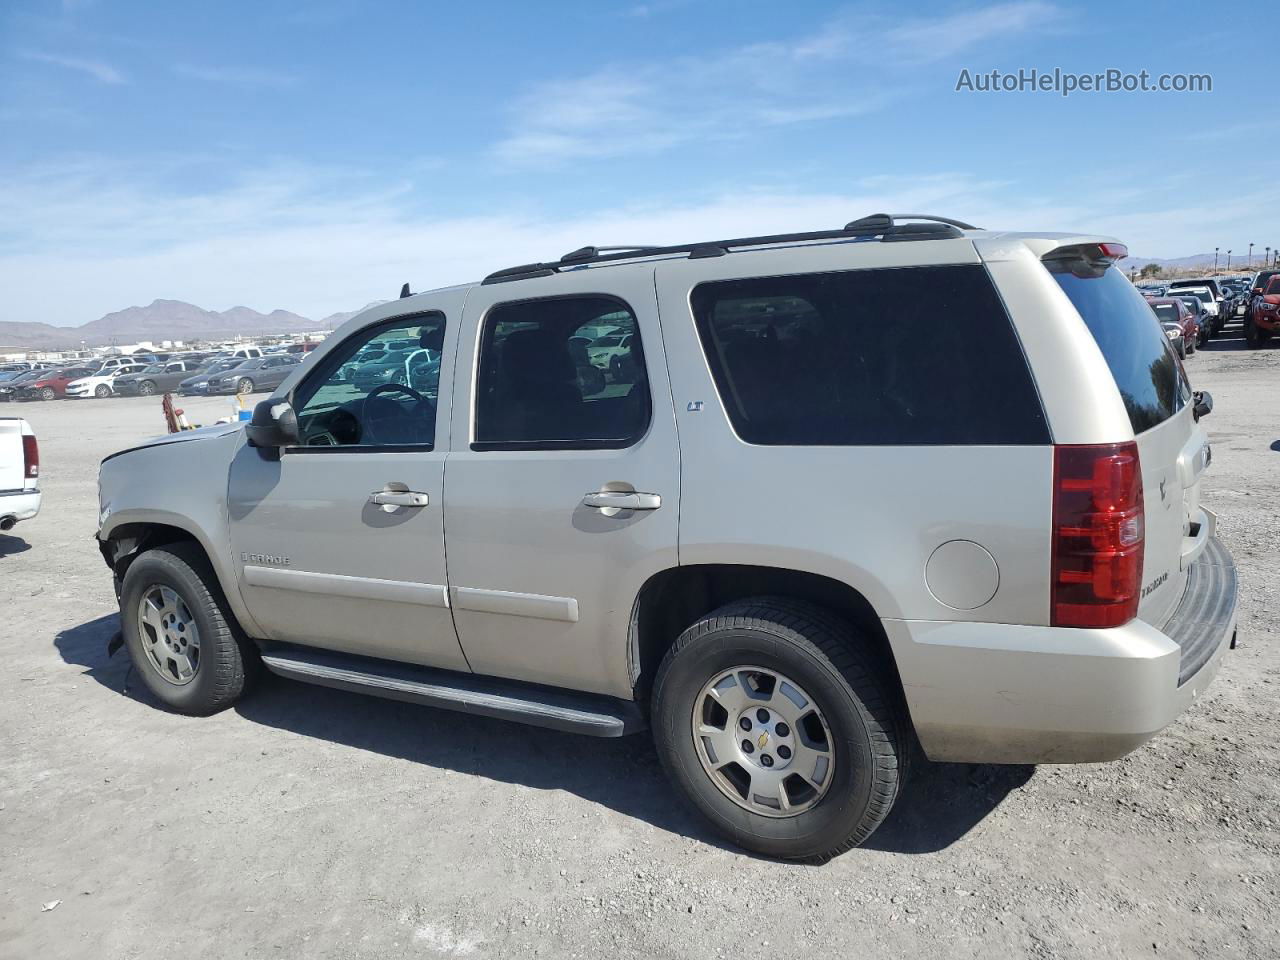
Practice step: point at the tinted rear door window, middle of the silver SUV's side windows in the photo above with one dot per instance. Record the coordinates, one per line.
(565, 373)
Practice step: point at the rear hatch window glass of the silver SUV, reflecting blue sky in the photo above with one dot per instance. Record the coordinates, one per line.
(1135, 346)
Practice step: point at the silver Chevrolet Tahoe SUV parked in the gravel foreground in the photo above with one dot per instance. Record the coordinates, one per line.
(848, 492)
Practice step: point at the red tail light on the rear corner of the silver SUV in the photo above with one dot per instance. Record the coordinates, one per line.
(1099, 536)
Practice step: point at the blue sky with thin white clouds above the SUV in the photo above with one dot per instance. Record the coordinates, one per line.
(314, 157)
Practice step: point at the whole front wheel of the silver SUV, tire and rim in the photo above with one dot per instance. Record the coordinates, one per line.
(181, 634)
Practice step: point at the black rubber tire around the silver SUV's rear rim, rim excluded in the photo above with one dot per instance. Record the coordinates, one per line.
(844, 678)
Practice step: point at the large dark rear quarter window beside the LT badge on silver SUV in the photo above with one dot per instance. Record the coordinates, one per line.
(899, 356)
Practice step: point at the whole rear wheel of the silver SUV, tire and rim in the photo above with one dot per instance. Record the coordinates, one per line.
(779, 724)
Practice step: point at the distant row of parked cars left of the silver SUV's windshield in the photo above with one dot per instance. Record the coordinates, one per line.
(248, 371)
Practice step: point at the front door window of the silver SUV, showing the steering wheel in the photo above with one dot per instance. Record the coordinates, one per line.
(364, 395)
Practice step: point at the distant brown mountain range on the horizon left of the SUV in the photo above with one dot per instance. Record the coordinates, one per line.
(163, 321)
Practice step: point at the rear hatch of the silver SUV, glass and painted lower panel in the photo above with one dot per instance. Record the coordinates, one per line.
(1173, 447)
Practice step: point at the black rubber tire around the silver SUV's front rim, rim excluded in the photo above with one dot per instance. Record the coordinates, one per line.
(228, 659)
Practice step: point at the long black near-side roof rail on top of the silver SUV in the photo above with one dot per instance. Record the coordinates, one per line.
(883, 226)
